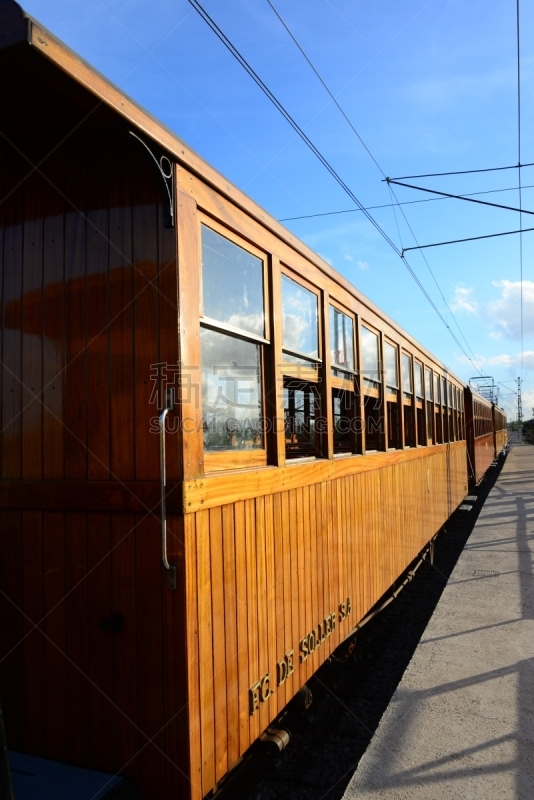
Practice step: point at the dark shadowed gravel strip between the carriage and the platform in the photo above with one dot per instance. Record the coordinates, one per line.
(350, 698)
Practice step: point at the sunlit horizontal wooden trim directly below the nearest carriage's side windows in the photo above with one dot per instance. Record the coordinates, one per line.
(229, 487)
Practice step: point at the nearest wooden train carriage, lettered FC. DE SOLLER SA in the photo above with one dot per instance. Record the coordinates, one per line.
(312, 448)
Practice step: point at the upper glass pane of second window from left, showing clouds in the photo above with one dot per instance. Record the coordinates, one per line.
(299, 319)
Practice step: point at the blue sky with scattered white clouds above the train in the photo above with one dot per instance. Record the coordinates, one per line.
(429, 86)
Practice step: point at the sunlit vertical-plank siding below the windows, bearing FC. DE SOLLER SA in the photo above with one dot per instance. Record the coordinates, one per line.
(371, 537)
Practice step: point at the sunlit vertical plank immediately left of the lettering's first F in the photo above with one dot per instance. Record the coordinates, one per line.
(242, 627)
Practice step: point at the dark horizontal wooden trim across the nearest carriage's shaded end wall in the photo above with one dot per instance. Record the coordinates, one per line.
(105, 496)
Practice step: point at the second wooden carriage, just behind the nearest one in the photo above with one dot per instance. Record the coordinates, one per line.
(480, 436)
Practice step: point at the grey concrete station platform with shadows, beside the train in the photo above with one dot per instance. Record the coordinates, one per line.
(461, 722)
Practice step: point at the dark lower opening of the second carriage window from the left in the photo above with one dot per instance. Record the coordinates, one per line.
(301, 410)
